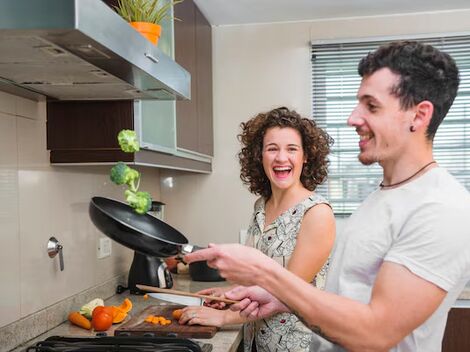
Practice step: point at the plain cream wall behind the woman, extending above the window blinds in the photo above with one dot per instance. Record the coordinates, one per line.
(256, 68)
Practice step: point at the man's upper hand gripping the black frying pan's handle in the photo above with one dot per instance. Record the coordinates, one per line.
(240, 264)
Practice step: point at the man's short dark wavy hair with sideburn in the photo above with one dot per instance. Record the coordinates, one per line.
(425, 74)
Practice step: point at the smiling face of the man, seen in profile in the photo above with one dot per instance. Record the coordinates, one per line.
(383, 127)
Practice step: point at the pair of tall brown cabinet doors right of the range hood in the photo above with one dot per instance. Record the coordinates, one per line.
(193, 51)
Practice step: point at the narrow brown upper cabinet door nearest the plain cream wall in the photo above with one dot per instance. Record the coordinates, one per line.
(204, 84)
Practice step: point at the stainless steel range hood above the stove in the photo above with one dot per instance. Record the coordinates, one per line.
(81, 50)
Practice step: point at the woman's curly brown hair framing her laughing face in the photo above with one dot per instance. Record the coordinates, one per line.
(316, 145)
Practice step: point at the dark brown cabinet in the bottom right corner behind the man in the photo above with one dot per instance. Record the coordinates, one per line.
(456, 336)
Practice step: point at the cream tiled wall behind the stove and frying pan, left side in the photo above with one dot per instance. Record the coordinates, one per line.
(38, 201)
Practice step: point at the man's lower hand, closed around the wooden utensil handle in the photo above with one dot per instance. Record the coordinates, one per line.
(255, 302)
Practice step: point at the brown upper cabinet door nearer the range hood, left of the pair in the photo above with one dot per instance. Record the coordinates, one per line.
(185, 55)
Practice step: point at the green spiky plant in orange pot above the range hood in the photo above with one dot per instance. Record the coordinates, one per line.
(146, 15)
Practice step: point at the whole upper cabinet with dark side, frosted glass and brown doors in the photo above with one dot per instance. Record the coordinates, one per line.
(173, 135)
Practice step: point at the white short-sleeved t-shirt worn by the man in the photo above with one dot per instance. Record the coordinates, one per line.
(423, 225)
